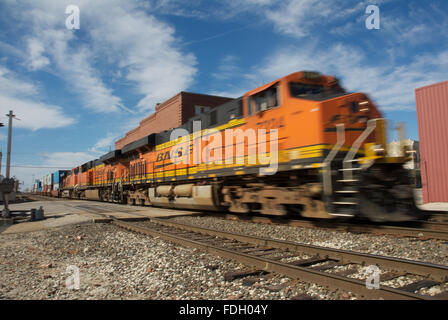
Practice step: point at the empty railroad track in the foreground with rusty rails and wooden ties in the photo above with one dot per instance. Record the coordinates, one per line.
(298, 261)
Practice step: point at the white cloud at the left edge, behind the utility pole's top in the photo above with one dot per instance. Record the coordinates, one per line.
(23, 98)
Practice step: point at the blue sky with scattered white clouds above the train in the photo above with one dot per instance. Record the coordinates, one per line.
(77, 91)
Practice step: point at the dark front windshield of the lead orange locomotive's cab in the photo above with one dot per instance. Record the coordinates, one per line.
(314, 91)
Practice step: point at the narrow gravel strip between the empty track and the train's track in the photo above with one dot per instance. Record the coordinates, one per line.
(432, 251)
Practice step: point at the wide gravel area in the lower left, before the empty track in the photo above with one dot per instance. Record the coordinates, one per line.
(117, 264)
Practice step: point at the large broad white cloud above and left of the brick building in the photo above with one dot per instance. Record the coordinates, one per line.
(147, 53)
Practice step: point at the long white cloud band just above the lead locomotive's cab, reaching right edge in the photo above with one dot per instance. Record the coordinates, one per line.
(391, 85)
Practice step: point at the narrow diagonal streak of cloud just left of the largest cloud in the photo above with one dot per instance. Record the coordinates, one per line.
(72, 62)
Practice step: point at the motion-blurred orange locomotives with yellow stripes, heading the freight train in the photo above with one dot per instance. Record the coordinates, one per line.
(327, 150)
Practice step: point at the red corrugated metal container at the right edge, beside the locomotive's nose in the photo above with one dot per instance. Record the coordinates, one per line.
(432, 114)
